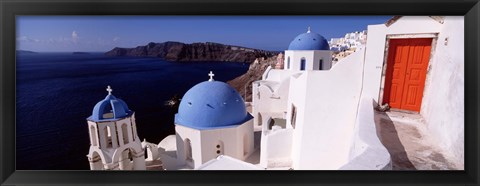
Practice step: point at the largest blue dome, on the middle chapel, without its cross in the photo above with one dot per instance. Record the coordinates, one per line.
(211, 104)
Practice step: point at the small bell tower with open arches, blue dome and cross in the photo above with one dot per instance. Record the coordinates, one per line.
(114, 143)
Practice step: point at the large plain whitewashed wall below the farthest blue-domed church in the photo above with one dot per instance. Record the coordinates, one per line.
(326, 104)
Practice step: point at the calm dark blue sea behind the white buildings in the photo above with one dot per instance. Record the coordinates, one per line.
(56, 92)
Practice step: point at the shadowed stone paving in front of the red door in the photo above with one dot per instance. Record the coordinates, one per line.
(405, 136)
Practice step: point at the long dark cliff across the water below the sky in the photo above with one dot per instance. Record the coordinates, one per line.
(176, 51)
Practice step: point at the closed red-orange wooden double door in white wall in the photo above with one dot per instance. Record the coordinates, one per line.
(407, 64)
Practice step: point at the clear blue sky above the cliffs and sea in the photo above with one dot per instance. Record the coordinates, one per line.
(103, 33)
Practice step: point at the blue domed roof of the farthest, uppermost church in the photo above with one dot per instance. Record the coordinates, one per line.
(309, 41)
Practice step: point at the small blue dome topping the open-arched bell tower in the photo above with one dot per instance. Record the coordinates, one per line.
(110, 109)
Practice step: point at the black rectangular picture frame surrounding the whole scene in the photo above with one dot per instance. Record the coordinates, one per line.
(9, 9)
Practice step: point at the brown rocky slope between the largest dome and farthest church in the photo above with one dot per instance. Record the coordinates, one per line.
(243, 83)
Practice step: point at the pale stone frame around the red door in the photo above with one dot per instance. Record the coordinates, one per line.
(433, 36)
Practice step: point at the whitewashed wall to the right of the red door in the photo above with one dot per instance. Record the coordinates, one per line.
(443, 103)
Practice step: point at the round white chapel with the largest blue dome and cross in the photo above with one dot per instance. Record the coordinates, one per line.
(212, 120)
